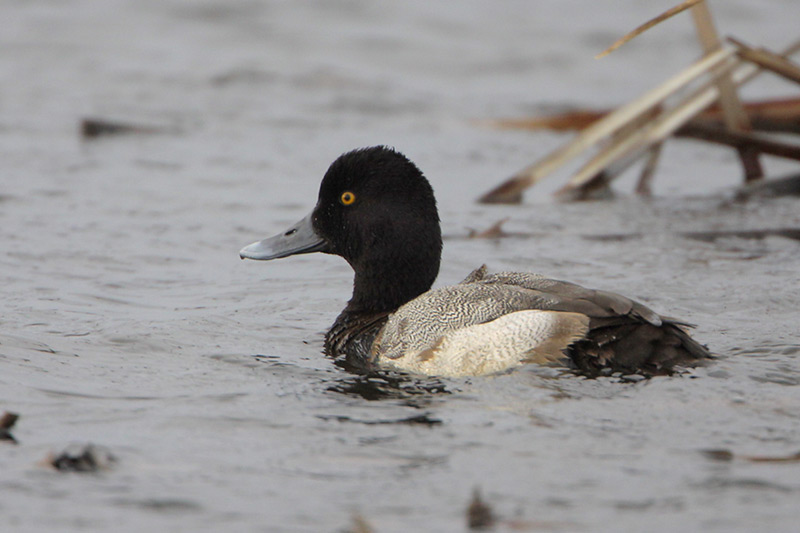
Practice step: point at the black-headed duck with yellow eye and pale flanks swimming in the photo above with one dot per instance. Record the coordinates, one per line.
(377, 210)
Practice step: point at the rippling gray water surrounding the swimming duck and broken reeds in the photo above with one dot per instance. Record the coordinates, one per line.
(128, 320)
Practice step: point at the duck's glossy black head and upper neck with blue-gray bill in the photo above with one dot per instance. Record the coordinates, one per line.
(377, 210)
